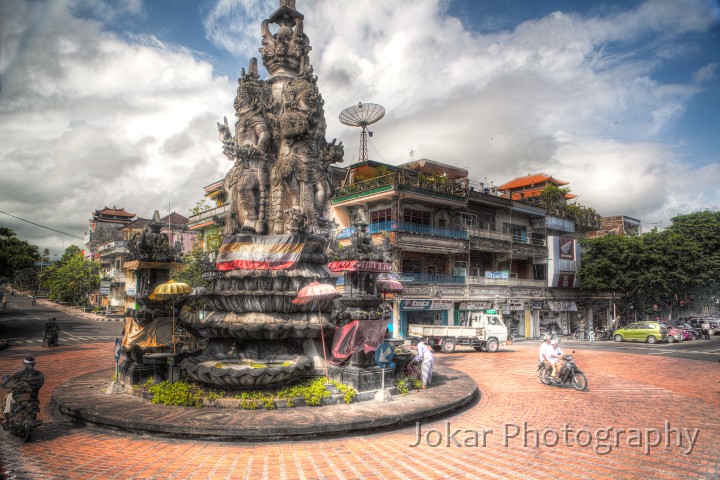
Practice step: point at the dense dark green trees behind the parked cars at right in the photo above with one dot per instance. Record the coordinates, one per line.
(656, 270)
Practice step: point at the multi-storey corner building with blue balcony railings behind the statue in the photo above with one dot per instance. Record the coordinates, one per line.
(459, 246)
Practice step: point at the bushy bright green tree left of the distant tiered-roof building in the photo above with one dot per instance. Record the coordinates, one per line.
(72, 278)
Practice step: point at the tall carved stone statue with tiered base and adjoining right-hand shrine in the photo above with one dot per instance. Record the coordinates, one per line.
(277, 238)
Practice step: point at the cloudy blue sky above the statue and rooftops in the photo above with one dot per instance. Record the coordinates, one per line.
(115, 103)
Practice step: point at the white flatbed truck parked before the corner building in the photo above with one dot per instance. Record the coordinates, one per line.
(483, 332)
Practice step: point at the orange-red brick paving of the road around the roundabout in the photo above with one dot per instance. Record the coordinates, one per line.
(626, 392)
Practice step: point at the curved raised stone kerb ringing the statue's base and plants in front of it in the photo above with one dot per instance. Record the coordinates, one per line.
(84, 400)
